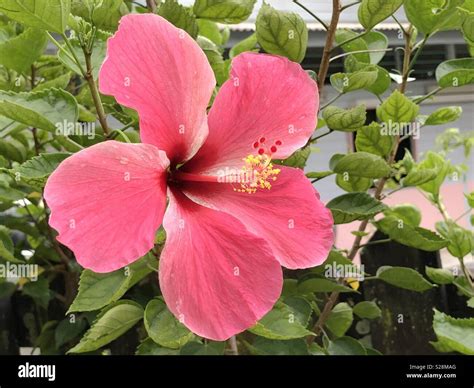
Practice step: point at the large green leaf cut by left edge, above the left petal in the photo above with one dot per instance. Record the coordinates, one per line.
(46, 109)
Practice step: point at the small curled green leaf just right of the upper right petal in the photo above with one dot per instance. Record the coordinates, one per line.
(345, 120)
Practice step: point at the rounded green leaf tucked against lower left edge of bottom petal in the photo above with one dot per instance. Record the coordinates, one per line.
(163, 327)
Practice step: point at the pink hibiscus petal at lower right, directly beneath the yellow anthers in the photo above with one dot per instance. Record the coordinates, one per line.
(289, 216)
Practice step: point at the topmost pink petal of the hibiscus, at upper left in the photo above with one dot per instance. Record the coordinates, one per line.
(160, 71)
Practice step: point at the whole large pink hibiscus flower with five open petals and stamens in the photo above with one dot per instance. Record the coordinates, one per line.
(233, 218)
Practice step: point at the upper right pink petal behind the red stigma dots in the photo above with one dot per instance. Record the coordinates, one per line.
(266, 97)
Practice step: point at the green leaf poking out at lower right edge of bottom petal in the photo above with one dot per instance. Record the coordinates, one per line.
(281, 323)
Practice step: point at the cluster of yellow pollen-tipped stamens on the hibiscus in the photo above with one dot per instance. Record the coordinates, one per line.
(258, 172)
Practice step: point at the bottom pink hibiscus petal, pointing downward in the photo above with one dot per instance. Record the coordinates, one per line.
(216, 277)
